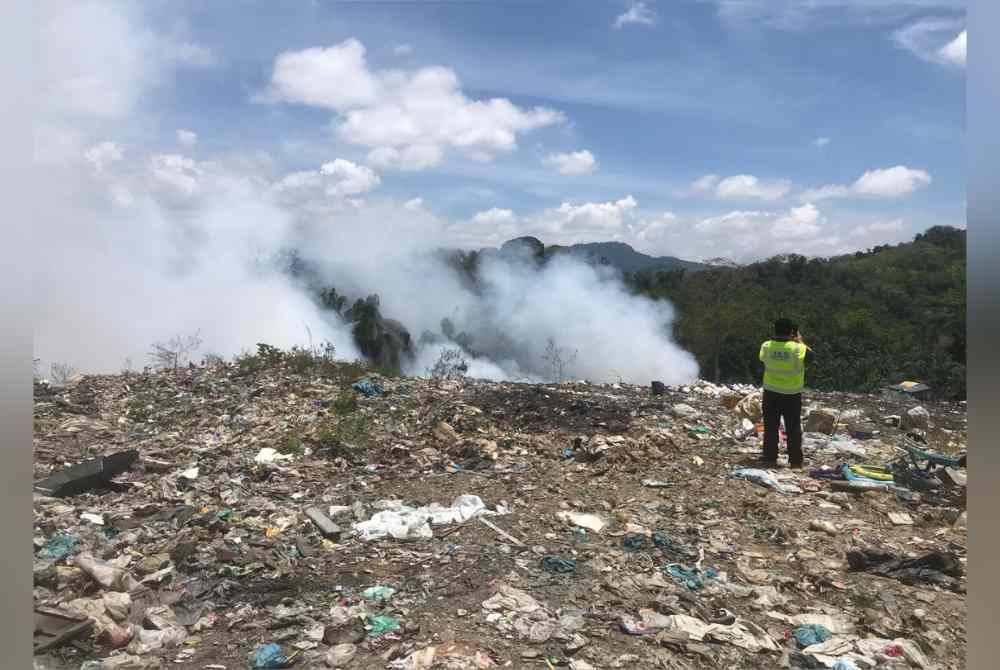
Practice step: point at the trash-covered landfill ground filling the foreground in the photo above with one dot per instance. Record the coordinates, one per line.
(200, 552)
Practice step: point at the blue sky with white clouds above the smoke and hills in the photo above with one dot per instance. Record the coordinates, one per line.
(611, 112)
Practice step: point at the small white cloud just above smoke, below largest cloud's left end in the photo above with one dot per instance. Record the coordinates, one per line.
(326, 188)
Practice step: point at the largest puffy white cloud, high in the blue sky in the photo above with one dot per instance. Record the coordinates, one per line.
(407, 118)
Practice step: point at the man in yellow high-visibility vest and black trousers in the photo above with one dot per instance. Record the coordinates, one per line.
(784, 358)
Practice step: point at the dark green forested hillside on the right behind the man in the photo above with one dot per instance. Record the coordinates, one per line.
(876, 317)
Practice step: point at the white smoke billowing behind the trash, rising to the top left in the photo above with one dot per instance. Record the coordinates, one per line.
(137, 246)
